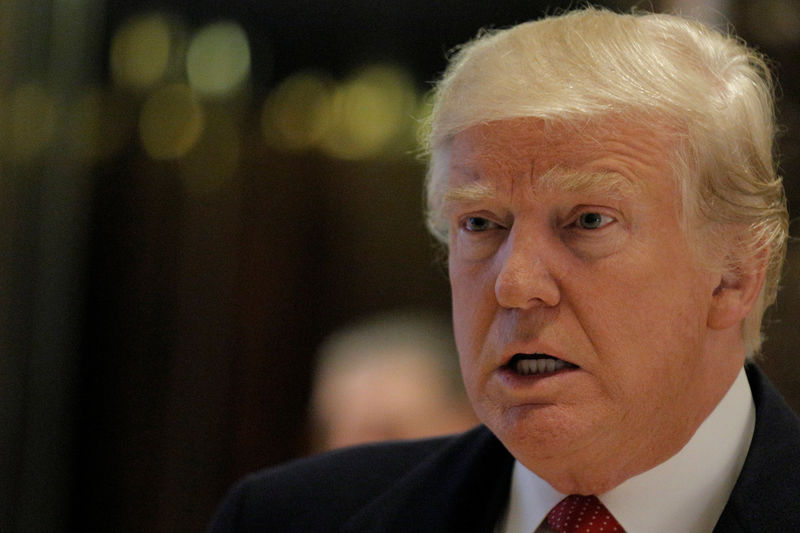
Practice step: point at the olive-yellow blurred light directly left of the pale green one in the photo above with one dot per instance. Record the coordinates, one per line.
(140, 51)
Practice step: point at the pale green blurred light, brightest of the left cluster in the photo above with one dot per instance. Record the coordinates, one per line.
(218, 59)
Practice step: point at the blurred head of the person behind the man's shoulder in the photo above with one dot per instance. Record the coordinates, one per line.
(391, 376)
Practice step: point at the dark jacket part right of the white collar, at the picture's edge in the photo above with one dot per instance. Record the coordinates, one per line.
(766, 496)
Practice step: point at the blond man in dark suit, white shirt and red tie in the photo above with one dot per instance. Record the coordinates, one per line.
(616, 229)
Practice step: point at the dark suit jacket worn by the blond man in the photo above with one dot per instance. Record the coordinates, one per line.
(461, 484)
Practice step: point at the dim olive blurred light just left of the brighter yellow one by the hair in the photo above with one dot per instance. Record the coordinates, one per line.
(296, 114)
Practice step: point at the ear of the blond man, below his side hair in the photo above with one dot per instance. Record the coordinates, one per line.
(737, 293)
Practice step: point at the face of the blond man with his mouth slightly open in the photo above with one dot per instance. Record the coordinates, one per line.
(567, 256)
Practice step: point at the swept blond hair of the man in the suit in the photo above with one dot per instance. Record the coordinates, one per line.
(712, 92)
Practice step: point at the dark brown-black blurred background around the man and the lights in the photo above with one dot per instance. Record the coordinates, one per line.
(157, 343)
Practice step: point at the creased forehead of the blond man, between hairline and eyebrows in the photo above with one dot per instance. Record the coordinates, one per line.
(613, 157)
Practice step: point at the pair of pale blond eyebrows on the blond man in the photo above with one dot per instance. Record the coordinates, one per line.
(556, 180)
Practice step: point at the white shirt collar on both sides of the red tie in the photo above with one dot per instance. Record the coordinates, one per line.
(685, 493)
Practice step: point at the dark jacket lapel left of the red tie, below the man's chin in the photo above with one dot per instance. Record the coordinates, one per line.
(463, 487)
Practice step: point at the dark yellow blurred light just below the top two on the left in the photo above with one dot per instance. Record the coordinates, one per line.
(171, 122)
